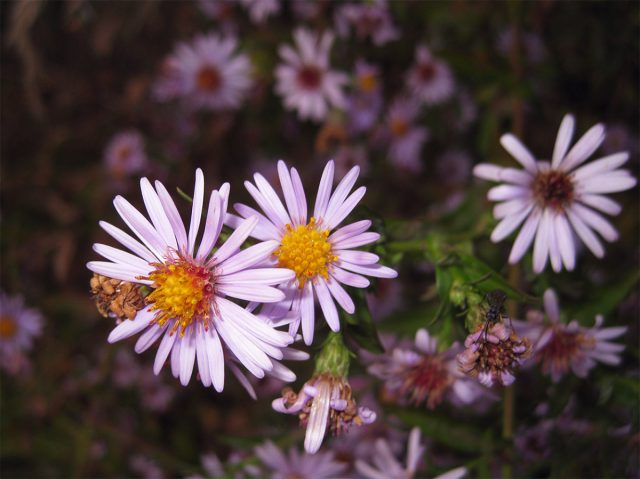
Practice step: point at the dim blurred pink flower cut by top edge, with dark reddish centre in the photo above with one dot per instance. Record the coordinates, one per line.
(368, 20)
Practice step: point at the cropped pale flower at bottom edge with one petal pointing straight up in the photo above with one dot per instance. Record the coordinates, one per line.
(386, 466)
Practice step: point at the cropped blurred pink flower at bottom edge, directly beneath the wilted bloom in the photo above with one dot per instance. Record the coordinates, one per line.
(322, 465)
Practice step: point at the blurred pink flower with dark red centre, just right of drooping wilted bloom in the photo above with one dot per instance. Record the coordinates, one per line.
(422, 374)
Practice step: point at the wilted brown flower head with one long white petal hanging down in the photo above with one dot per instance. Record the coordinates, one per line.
(325, 401)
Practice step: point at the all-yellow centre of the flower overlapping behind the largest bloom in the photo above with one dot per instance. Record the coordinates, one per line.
(306, 250)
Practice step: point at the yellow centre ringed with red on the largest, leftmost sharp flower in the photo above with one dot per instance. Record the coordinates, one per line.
(184, 291)
